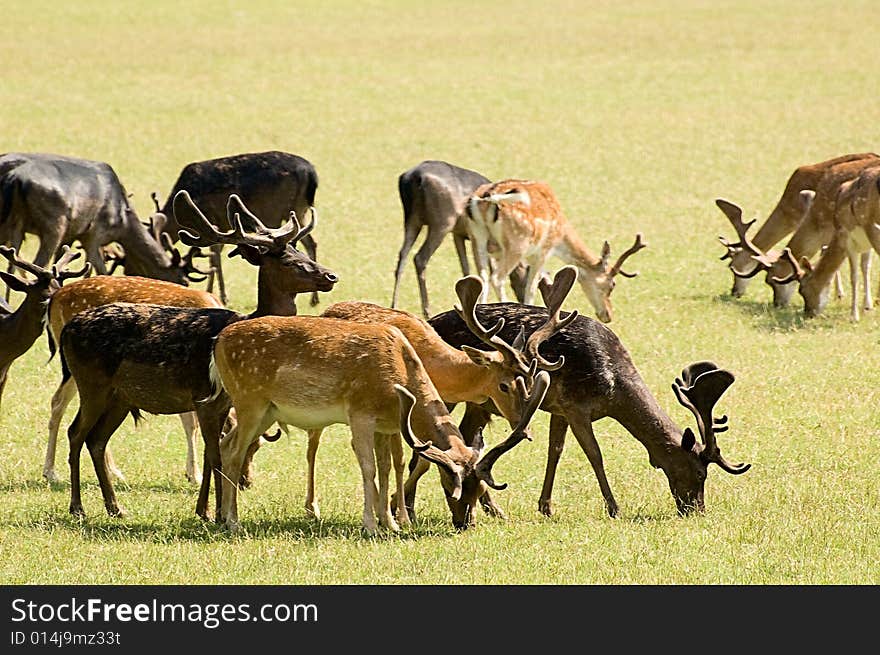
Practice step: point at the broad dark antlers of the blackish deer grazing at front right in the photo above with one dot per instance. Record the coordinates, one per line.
(699, 388)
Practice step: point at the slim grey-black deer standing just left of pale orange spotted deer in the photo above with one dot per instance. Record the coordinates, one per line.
(433, 194)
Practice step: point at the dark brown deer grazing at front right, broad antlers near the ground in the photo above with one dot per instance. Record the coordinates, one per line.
(598, 379)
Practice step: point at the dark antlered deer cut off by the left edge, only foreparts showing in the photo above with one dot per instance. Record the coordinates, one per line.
(21, 328)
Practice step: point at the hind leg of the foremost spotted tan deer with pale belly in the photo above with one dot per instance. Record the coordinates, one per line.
(233, 448)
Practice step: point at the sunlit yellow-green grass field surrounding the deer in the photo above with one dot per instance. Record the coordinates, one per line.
(638, 114)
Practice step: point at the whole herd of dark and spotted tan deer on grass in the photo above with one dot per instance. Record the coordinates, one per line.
(147, 342)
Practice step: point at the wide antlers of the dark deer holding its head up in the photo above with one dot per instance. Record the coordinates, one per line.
(206, 233)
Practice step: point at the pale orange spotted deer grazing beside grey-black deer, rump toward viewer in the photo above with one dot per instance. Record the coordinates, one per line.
(526, 222)
